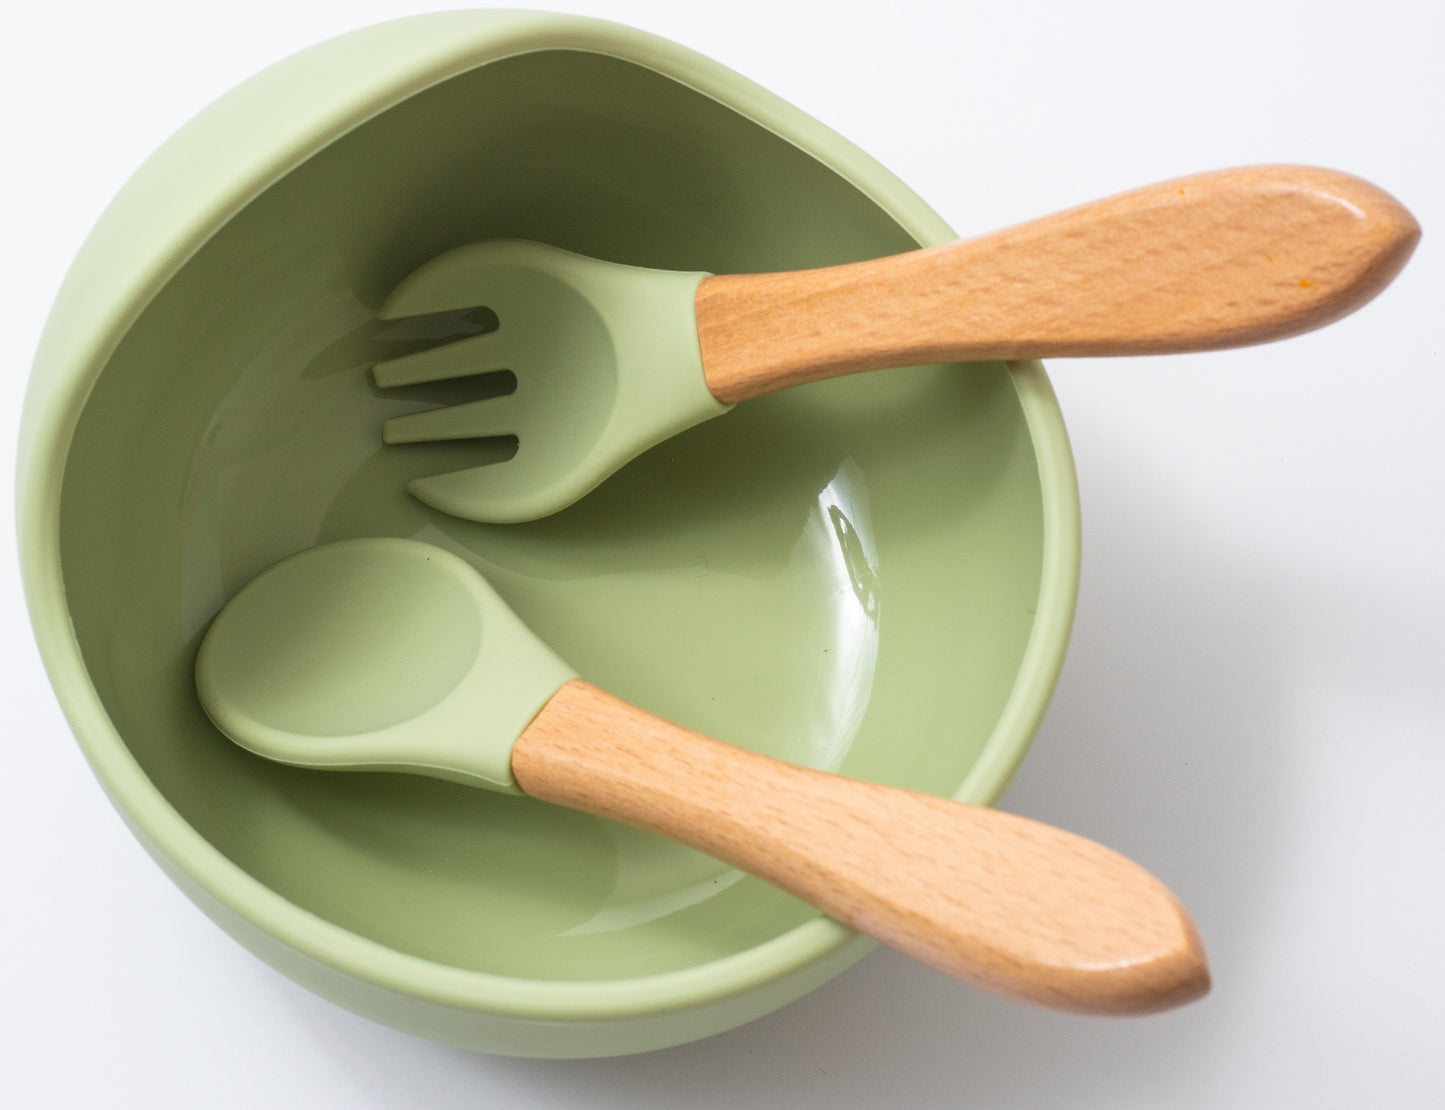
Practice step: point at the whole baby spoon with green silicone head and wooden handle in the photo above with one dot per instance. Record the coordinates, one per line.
(397, 655)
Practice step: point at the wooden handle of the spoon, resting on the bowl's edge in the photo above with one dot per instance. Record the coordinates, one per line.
(999, 901)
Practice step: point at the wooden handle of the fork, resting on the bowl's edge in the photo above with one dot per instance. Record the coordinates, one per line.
(1222, 259)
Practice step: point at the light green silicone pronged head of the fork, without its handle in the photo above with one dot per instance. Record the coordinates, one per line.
(606, 363)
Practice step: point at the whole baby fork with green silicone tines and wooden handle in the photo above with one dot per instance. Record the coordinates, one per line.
(611, 361)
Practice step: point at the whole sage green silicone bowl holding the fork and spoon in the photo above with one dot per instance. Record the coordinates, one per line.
(875, 576)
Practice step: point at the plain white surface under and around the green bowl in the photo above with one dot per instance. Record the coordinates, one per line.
(1251, 707)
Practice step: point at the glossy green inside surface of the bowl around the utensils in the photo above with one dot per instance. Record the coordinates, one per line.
(845, 576)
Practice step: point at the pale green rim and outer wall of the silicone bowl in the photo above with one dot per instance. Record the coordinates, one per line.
(154, 228)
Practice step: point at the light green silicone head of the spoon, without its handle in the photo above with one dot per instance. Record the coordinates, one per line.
(378, 654)
